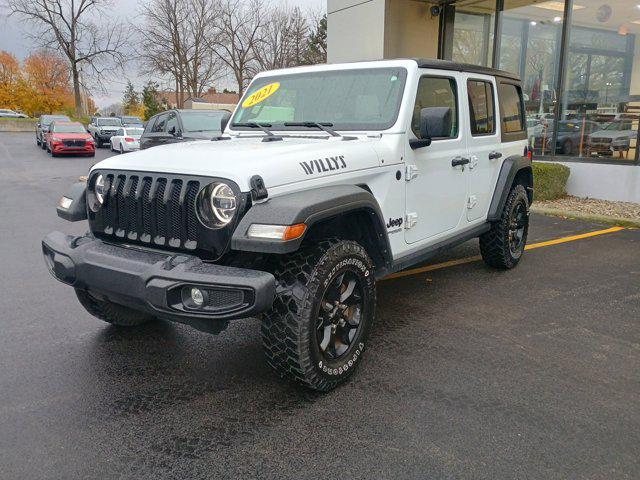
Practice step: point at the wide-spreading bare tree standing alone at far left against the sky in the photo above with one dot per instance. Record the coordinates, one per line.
(89, 48)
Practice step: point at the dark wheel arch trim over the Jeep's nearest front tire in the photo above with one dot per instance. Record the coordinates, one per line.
(348, 212)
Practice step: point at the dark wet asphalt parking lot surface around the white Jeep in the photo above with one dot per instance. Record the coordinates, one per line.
(471, 373)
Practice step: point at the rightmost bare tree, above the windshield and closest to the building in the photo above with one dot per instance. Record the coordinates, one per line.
(283, 39)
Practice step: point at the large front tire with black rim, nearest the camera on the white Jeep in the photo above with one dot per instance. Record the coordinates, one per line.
(317, 329)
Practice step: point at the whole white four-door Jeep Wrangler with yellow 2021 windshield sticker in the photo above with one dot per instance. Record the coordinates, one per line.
(326, 179)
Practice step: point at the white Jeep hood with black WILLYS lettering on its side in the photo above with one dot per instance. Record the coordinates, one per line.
(290, 160)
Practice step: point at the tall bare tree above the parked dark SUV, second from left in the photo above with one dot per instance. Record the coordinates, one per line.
(177, 38)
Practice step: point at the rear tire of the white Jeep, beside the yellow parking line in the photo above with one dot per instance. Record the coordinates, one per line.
(503, 245)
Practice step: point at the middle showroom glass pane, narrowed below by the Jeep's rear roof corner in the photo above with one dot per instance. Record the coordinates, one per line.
(530, 44)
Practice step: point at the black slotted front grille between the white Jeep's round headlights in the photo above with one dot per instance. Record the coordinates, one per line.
(150, 209)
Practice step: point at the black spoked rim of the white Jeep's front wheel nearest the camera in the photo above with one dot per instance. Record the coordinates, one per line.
(340, 315)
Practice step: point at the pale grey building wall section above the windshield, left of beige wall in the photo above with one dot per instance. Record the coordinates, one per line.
(355, 30)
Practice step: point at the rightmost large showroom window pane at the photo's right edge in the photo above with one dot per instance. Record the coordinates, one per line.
(601, 98)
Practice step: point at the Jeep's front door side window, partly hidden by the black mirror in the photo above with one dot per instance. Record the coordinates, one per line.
(436, 92)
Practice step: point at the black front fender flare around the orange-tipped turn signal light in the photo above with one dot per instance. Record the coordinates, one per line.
(309, 207)
